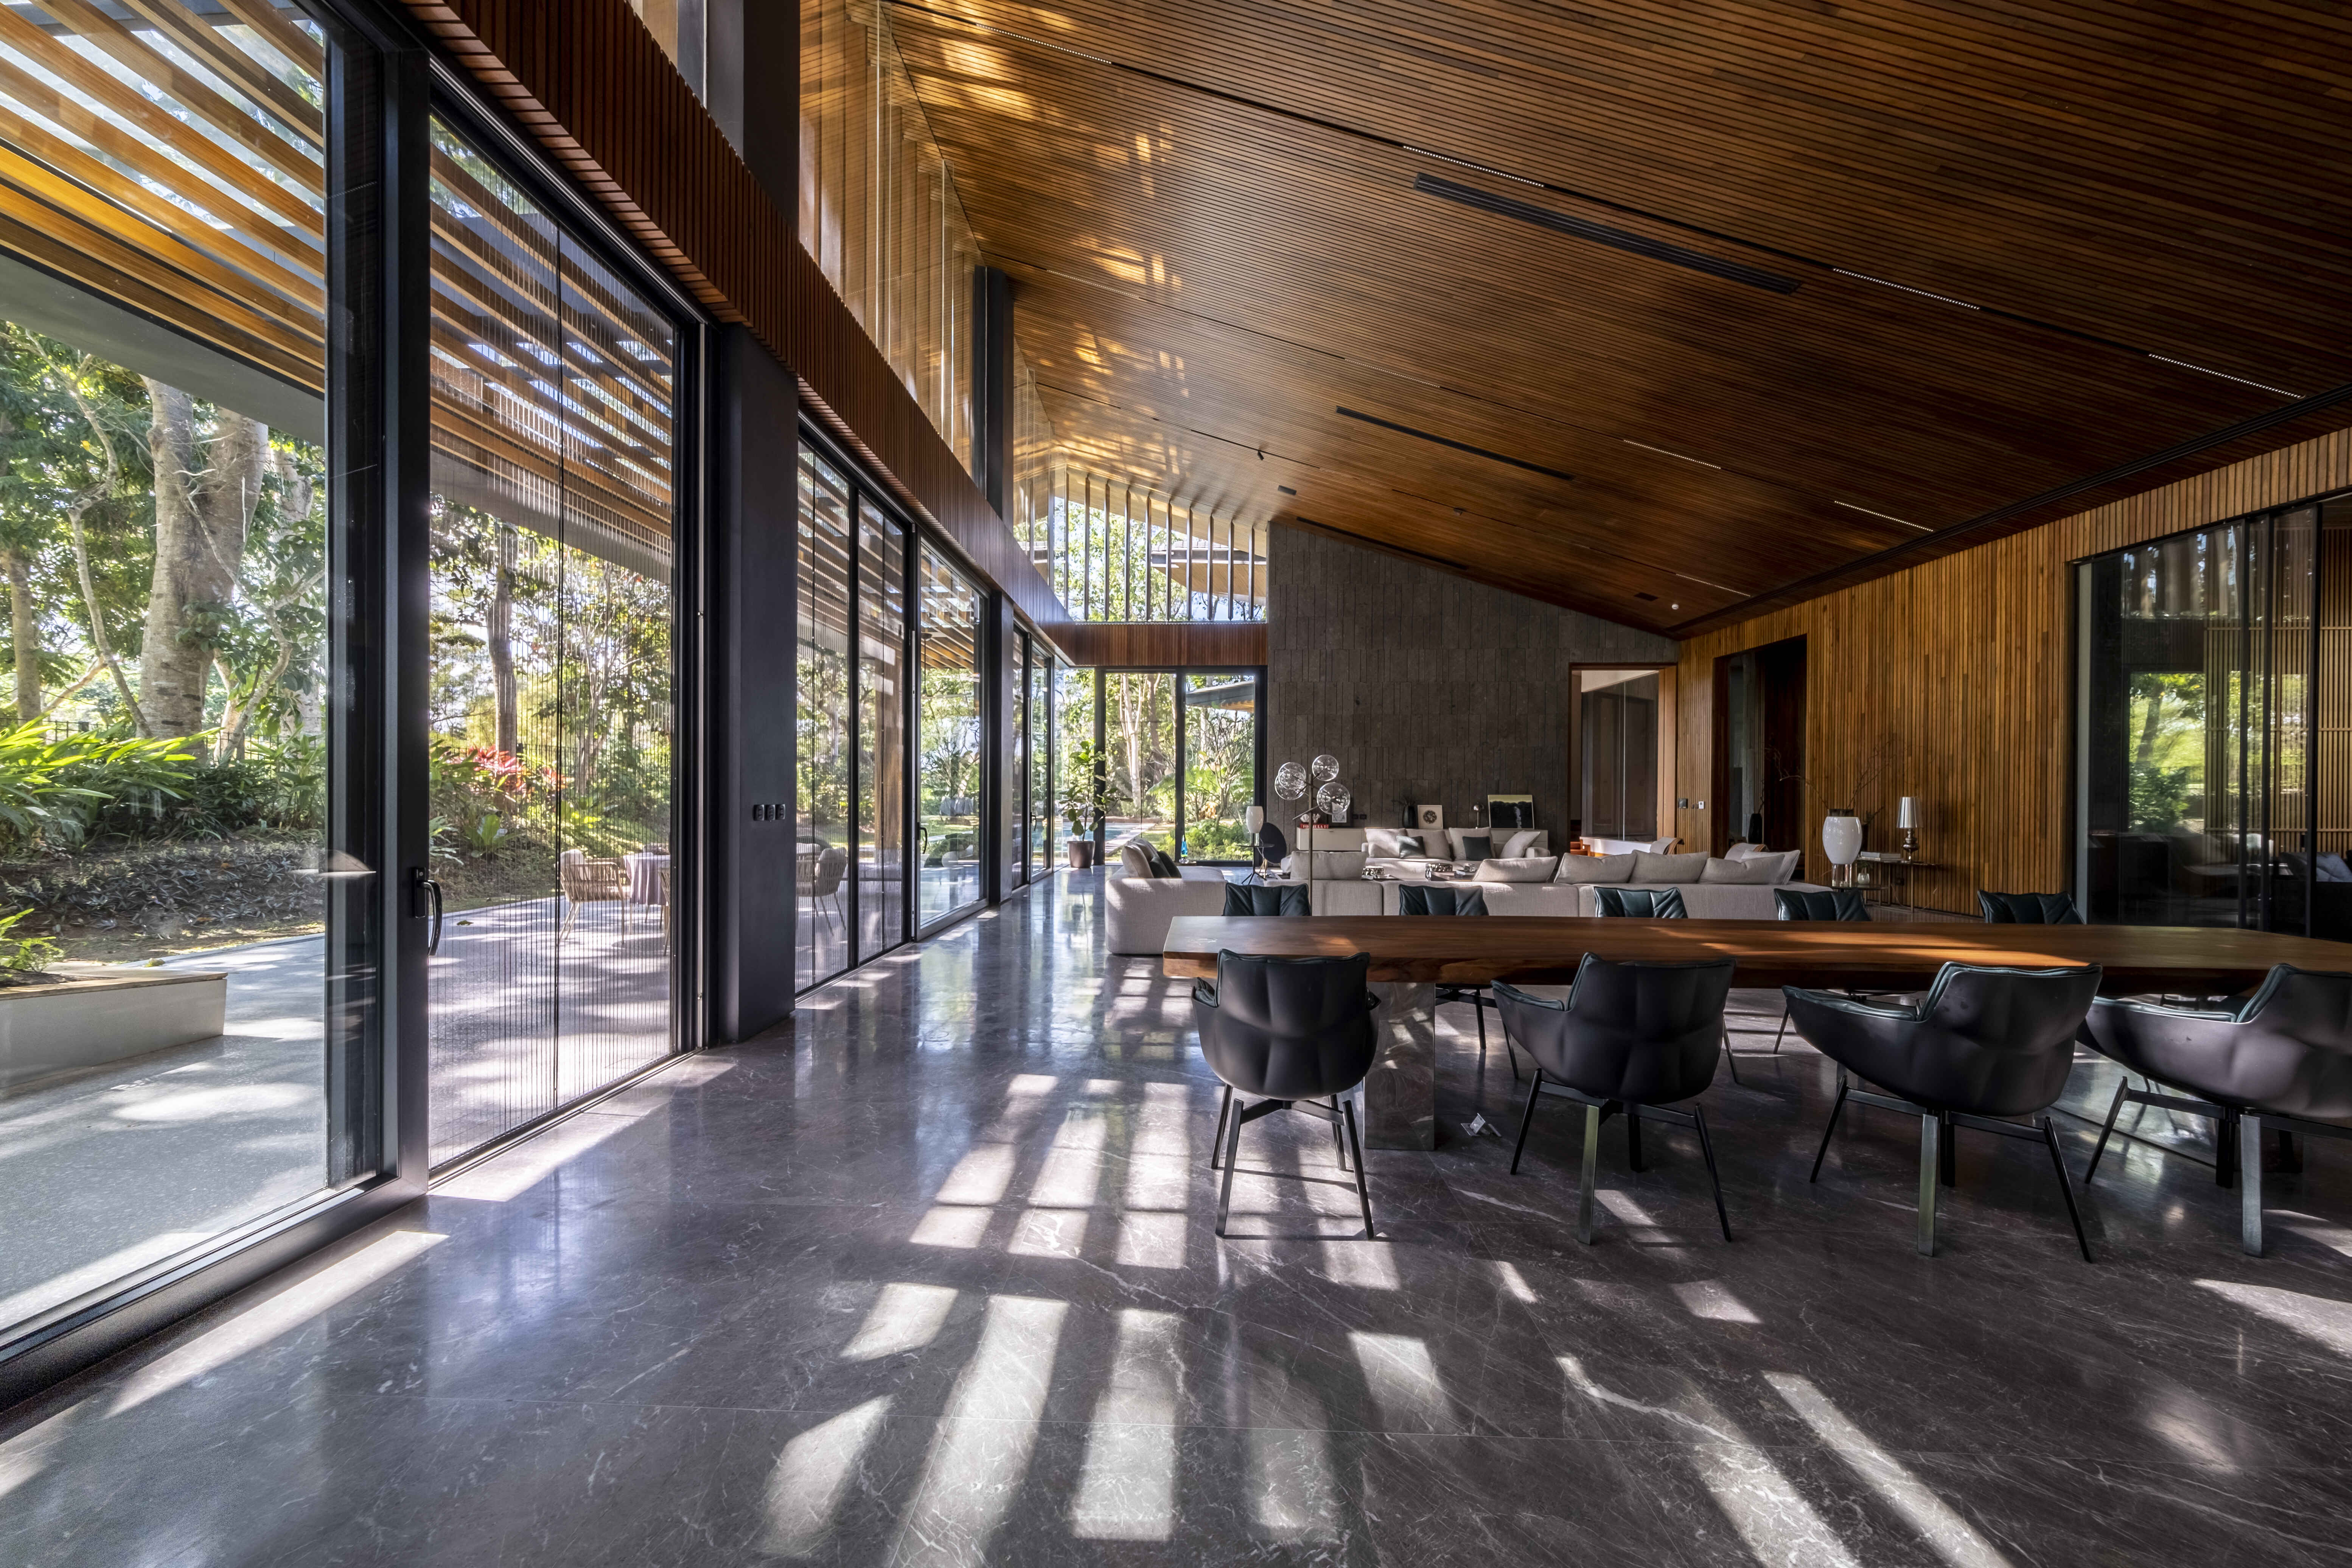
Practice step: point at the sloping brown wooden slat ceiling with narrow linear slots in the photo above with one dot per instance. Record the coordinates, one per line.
(2029, 246)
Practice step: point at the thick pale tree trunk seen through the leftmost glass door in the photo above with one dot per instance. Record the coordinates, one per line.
(203, 502)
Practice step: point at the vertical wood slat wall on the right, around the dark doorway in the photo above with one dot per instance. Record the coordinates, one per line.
(1958, 674)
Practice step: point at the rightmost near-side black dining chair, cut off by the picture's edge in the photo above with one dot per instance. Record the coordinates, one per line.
(2276, 1059)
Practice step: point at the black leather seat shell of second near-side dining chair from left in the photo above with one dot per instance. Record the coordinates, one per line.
(1645, 1033)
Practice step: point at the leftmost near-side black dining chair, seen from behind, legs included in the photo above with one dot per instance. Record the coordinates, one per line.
(1297, 1033)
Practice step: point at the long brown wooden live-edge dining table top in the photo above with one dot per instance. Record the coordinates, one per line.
(1469, 951)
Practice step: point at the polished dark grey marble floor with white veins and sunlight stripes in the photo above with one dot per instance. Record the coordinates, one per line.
(933, 1282)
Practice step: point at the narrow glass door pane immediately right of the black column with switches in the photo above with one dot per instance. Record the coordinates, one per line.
(822, 850)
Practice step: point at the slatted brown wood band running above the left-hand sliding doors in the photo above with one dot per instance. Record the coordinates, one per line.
(594, 88)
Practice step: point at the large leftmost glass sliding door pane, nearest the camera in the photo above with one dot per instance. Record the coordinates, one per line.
(187, 551)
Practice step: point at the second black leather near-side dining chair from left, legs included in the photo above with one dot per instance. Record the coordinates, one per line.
(1629, 1040)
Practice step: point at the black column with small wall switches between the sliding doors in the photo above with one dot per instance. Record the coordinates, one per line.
(751, 662)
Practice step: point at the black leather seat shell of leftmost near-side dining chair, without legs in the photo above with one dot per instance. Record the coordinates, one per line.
(1288, 1028)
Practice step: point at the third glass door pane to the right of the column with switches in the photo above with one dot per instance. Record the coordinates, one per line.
(949, 737)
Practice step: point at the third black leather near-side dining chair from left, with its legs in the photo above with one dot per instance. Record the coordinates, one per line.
(1979, 1047)
